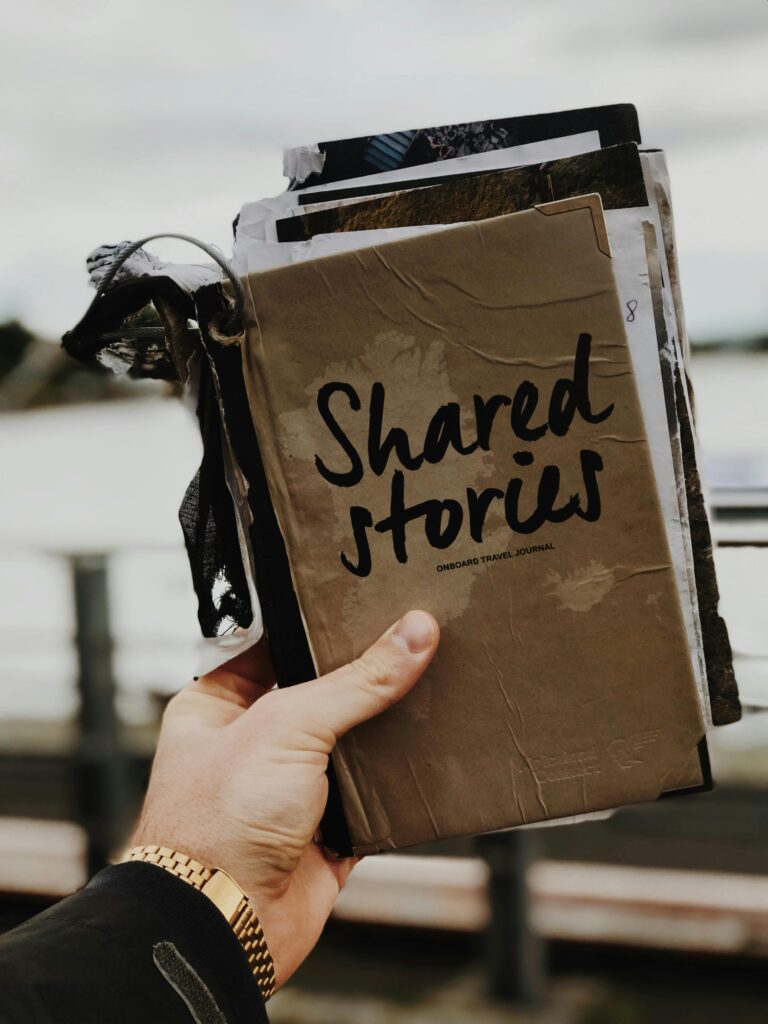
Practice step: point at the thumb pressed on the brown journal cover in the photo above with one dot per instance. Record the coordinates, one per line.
(376, 680)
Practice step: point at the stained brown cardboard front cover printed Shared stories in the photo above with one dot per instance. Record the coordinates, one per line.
(526, 520)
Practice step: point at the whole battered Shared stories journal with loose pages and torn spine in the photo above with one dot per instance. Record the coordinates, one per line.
(461, 387)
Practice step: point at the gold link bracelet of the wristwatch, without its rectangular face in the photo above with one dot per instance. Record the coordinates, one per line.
(245, 924)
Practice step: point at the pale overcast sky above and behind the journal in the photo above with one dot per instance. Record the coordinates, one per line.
(124, 119)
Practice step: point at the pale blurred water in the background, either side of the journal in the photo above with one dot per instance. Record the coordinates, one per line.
(111, 478)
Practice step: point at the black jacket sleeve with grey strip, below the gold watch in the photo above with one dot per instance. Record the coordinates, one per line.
(136, 946)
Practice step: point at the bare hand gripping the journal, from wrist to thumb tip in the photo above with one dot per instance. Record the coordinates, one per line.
(239, 780)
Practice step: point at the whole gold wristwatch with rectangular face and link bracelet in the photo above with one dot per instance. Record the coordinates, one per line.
(226, 894)
